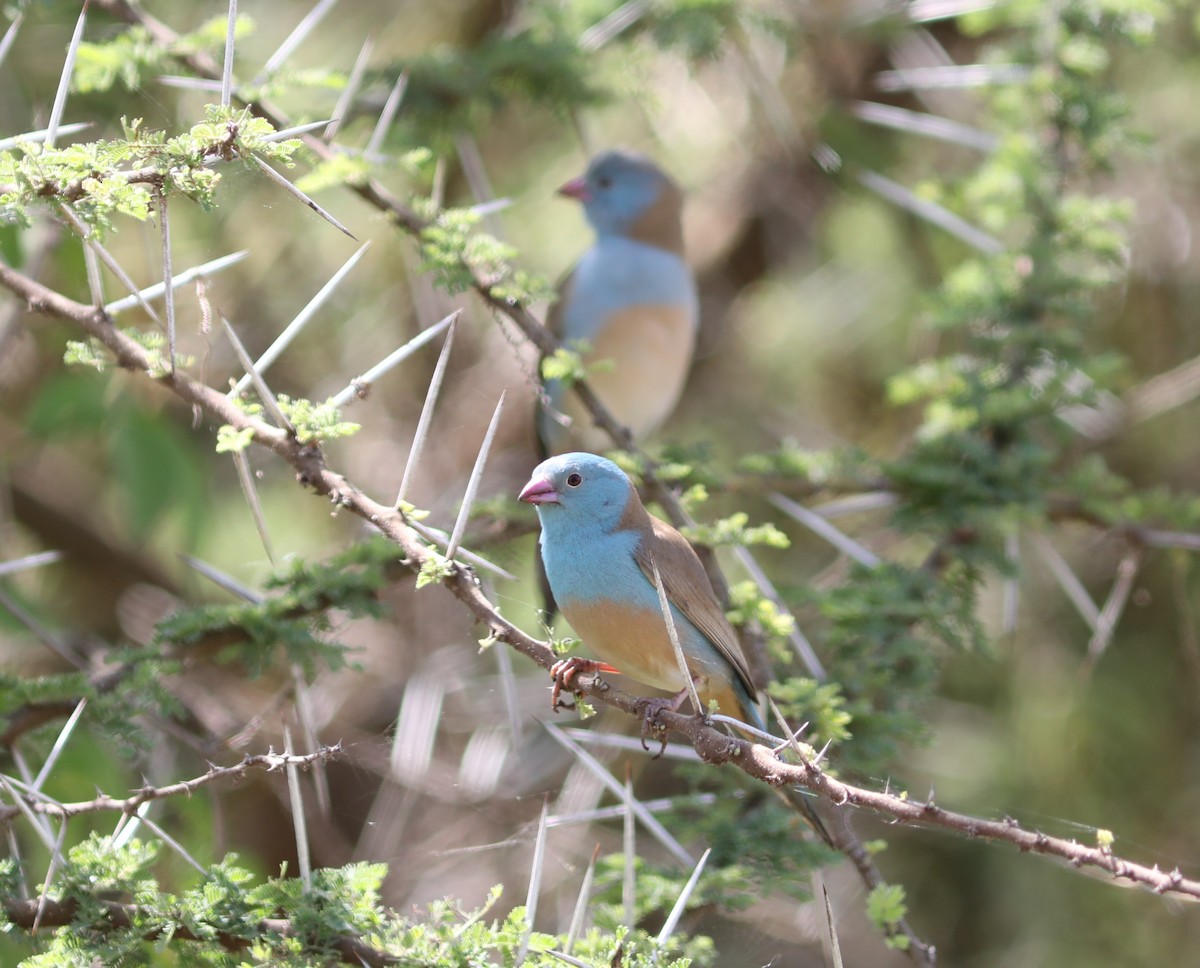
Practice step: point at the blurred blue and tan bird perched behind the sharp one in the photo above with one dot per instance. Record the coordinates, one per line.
(632, 298)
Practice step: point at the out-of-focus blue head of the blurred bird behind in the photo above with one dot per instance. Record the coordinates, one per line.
(621, 190)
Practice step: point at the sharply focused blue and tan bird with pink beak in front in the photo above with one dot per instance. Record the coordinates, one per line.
(601, 548)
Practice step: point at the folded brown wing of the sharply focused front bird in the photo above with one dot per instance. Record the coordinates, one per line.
(689, 591)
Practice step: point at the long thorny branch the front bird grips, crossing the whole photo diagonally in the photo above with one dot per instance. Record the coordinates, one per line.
(715, 747)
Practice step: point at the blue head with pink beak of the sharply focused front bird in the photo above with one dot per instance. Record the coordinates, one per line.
(579, 491)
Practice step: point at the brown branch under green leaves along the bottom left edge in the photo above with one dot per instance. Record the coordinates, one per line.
(50, 912)
